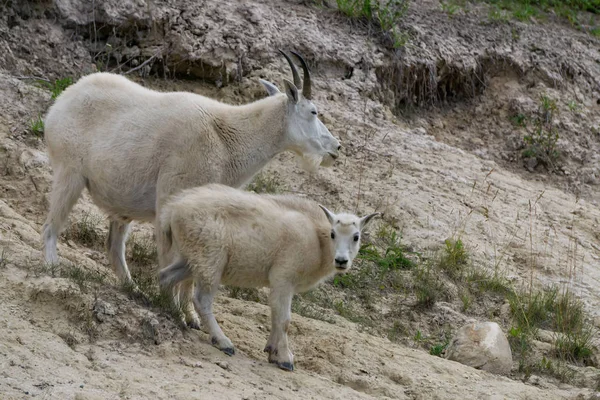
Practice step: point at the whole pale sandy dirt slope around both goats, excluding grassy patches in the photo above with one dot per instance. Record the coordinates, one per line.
(434, 174)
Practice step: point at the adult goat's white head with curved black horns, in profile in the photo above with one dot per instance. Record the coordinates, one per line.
(305, 134)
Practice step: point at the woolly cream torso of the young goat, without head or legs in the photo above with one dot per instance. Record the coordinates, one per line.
(253, 232)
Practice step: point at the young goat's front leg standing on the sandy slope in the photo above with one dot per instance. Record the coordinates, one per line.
(281, 316)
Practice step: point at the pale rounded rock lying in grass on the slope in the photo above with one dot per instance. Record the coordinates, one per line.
(481, 345)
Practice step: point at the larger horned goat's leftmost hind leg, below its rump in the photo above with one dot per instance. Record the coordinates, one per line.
(66, 188)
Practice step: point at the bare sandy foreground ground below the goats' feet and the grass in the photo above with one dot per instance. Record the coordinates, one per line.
(45, 351)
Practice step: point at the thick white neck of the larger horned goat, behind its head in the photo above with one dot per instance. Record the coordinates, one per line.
(255, 135)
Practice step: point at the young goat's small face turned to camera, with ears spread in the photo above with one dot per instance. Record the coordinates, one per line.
(346, 232)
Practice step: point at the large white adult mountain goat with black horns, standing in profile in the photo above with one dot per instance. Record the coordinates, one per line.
(133, 147)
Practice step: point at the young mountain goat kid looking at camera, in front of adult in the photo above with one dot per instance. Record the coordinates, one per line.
(225, 235)
